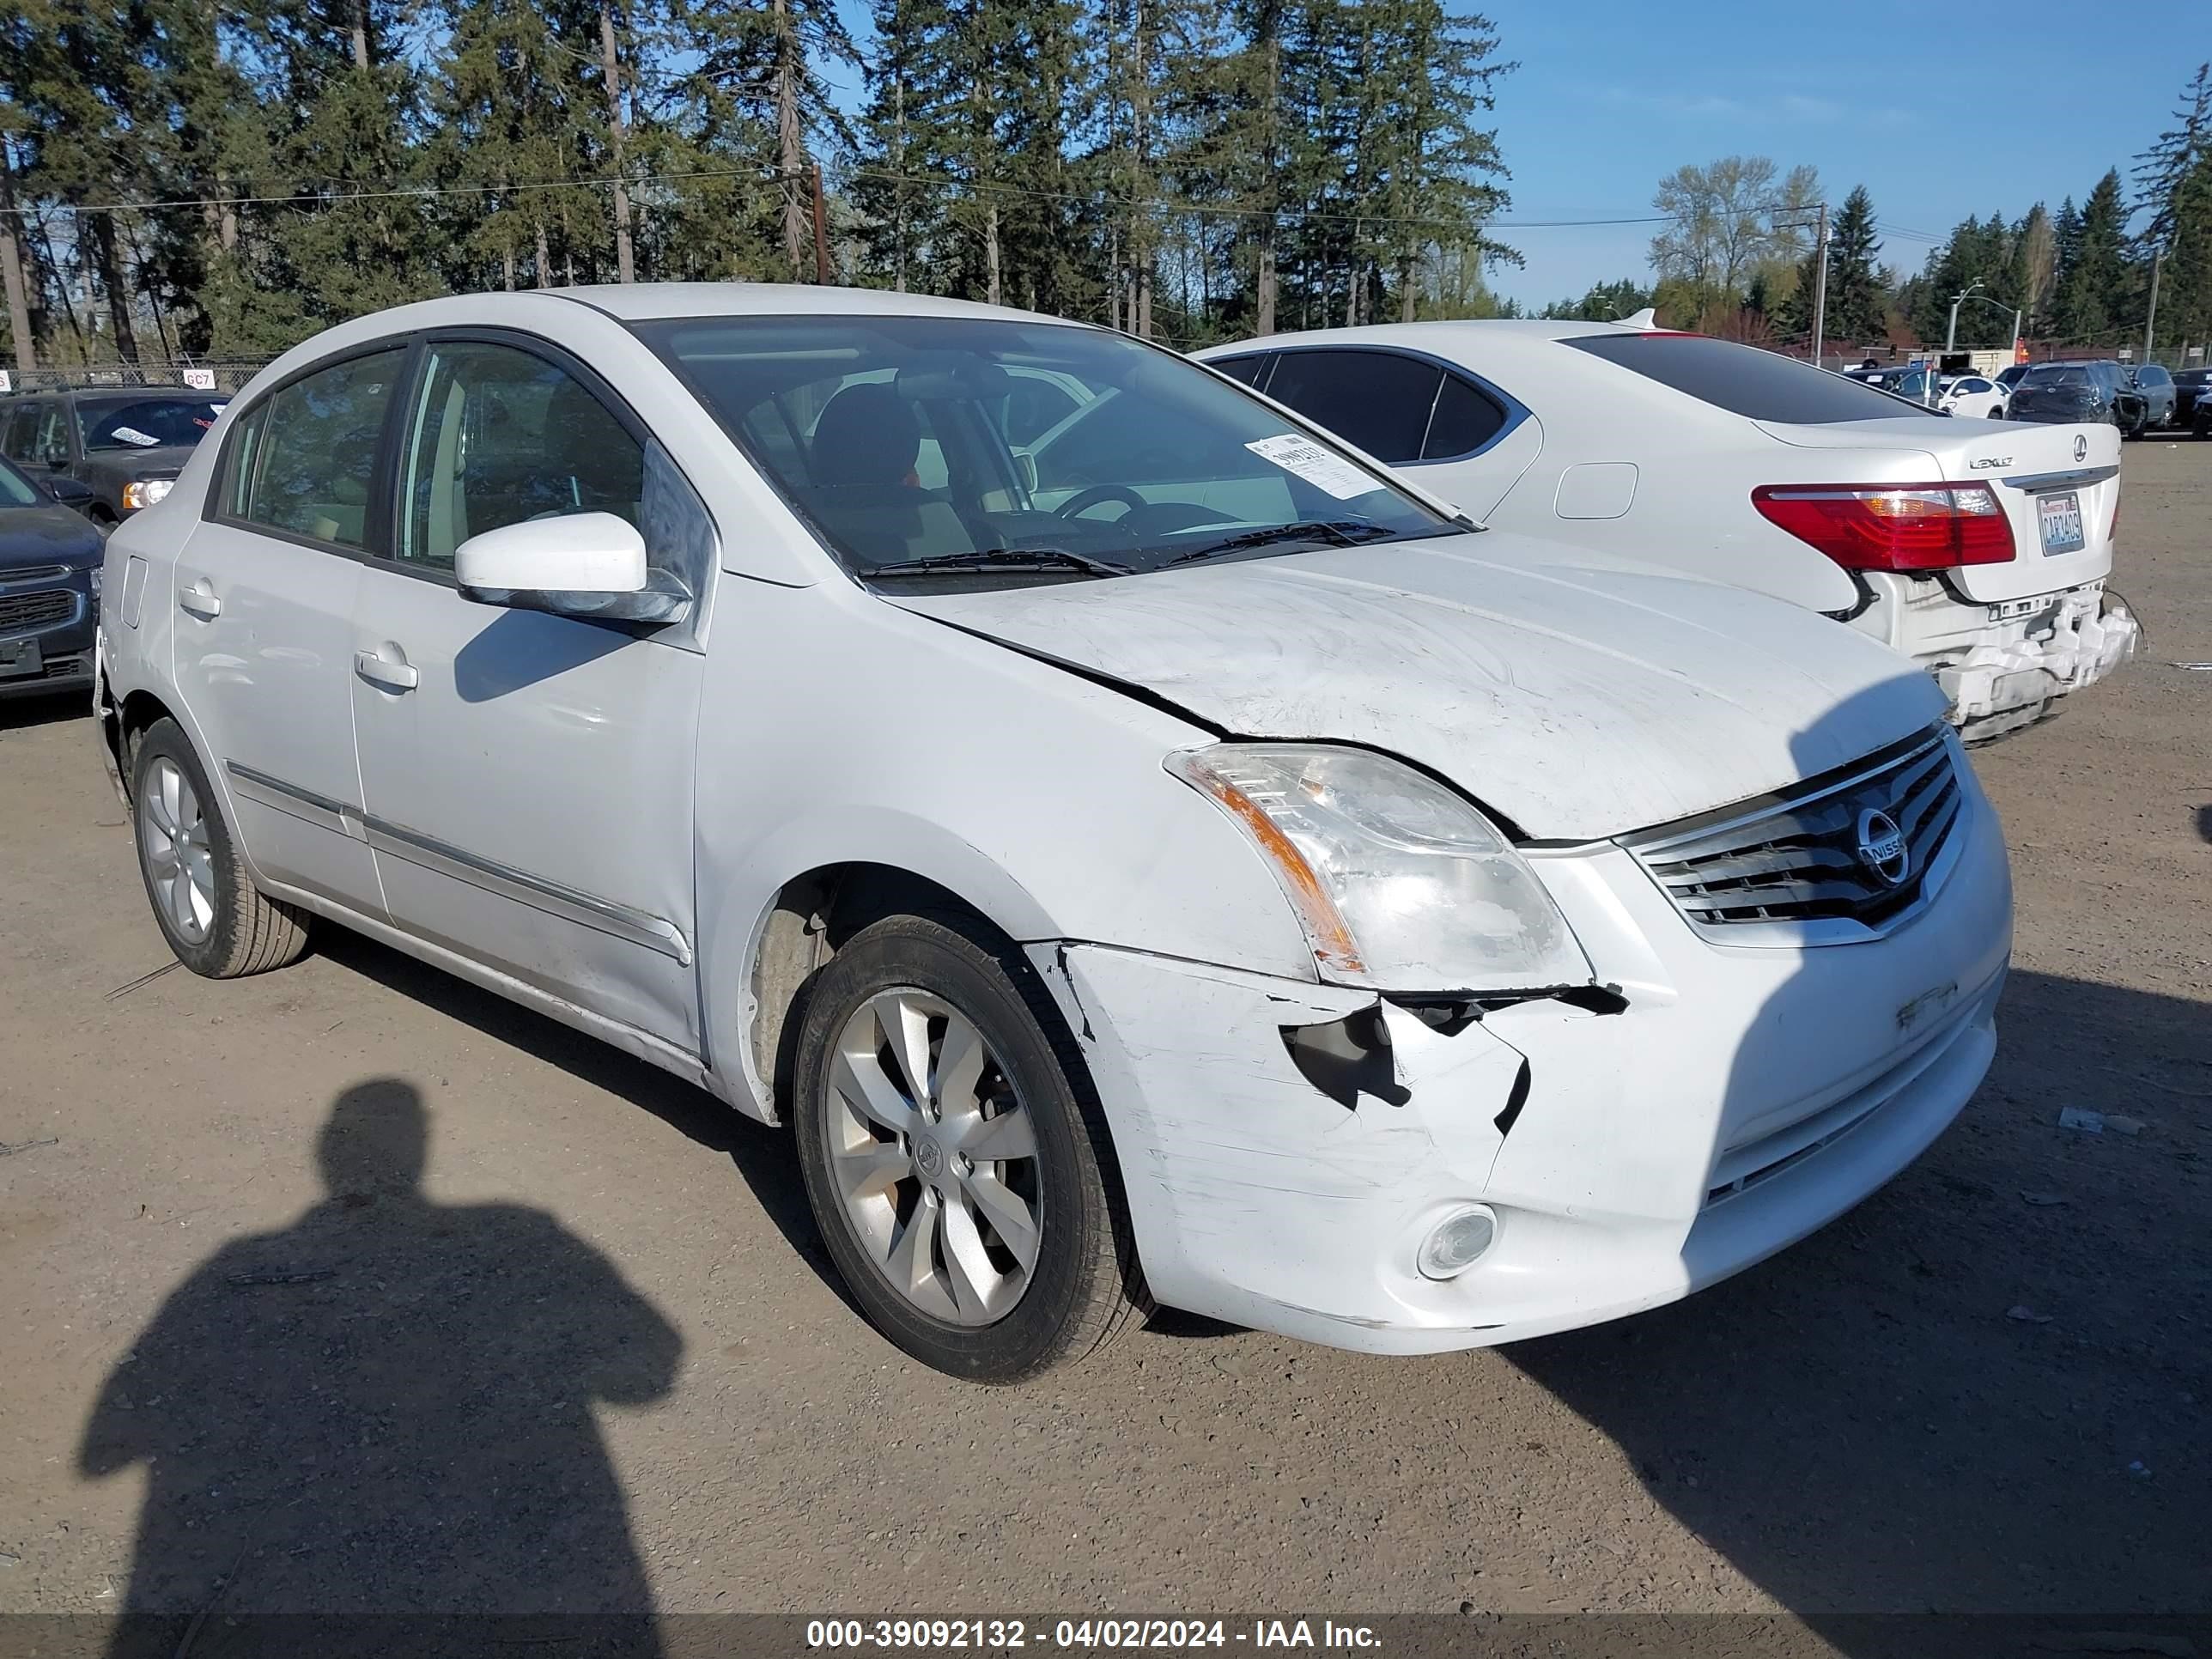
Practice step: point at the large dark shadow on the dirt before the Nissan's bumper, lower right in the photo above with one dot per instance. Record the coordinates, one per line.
(1981, 1392)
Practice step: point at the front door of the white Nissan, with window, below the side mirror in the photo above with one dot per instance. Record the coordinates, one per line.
(530, 778)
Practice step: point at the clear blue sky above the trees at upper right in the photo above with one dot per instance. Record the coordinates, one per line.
(1937, 107)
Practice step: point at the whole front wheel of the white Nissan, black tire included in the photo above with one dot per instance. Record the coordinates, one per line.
(954, 1156)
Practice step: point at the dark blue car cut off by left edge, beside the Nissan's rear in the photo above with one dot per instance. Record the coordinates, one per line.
(50, 587)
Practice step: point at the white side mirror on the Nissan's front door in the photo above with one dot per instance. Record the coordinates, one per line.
(583, 565)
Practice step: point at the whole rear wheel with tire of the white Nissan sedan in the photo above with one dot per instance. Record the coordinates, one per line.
(213, 917)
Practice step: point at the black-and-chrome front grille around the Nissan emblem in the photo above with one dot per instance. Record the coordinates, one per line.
(1797, 857)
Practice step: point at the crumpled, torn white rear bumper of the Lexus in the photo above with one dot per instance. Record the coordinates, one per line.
(2014, 662)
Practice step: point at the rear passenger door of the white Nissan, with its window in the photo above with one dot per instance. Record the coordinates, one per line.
(264, 596)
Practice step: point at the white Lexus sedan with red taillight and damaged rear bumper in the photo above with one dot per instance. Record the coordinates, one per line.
(1979, 552)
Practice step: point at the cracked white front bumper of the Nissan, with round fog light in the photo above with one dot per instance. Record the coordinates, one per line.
(1740, 1100)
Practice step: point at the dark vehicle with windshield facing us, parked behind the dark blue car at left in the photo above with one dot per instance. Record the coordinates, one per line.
(125, 444)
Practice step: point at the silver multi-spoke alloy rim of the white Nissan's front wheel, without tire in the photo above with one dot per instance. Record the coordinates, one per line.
(935, 1158)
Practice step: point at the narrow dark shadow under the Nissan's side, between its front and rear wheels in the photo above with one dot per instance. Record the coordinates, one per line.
(760, 1154)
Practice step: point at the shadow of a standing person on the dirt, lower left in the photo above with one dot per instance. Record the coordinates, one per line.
(386, 1408)
